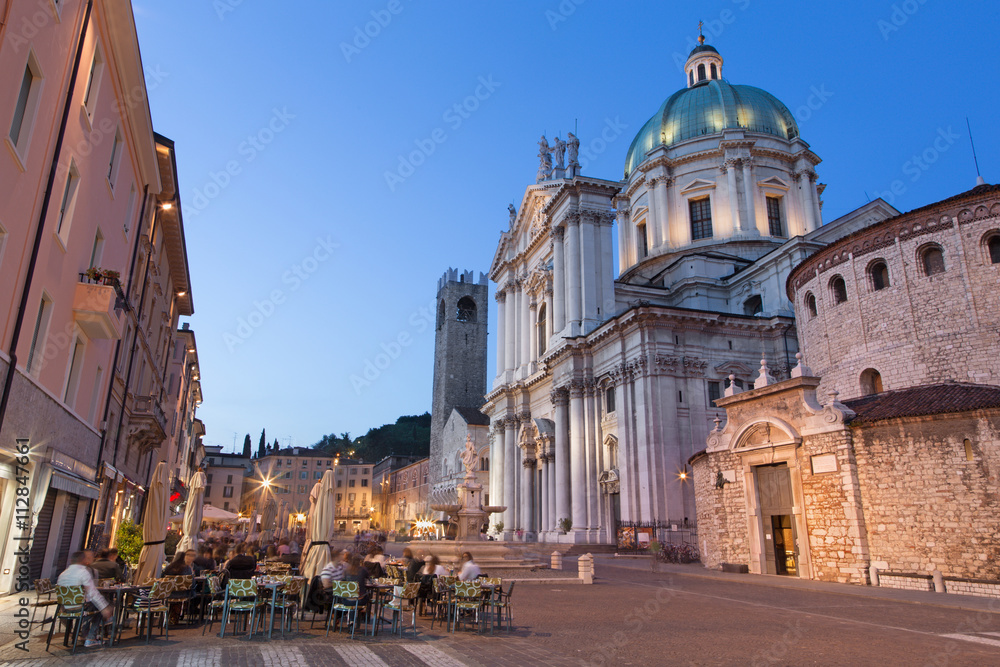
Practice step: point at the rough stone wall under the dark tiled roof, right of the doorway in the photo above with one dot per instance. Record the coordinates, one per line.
(926, 505)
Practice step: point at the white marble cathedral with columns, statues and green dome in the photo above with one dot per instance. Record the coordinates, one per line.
(606, 380)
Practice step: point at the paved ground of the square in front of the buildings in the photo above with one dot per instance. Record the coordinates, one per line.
(630, 616)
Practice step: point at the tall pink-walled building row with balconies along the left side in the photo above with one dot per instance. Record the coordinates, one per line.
(84, 189)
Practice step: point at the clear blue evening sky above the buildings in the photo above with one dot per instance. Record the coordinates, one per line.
(328, 178)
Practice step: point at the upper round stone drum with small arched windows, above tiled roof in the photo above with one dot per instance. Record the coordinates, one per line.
(921, 329)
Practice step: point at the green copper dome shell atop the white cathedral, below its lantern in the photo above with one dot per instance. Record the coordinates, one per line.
(709, 108)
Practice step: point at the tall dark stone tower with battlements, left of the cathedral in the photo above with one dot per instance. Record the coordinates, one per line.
(459, 354)
